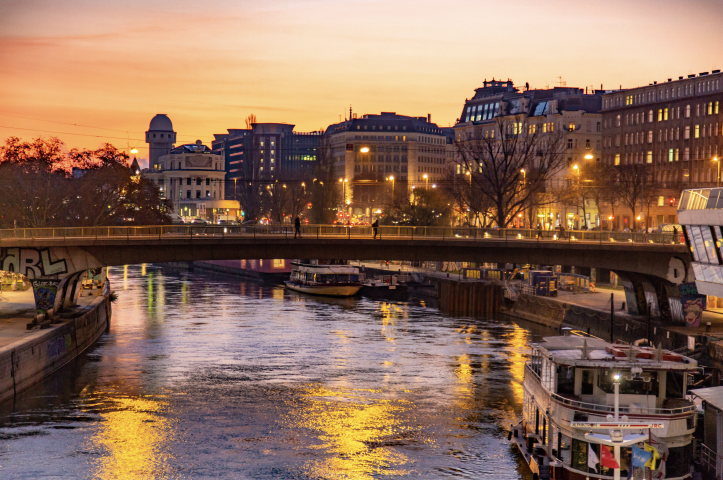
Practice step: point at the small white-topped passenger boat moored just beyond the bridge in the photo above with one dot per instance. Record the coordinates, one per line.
(324, 279)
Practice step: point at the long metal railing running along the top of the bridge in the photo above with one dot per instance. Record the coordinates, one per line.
(341, 231)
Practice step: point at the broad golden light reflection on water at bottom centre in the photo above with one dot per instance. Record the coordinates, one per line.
(357, 432)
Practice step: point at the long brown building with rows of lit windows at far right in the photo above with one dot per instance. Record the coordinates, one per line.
(671, 129)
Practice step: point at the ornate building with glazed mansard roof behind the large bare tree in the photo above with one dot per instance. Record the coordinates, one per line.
(558, 109)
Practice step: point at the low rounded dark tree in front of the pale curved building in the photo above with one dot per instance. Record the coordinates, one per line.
(420, 207)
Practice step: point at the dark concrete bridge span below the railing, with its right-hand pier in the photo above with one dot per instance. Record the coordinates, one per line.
(648, 271)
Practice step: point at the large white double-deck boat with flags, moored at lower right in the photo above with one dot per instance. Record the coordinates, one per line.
(582, 393)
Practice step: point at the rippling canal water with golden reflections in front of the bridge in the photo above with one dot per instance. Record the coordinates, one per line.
(209, 376)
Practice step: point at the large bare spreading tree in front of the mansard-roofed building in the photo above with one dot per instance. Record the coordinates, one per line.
(496, 156)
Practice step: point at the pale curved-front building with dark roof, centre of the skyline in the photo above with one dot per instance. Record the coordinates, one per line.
(374, 154)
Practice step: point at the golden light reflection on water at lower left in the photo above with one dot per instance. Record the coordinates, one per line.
(135, 440)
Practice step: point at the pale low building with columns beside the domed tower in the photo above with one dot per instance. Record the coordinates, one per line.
(193, 177)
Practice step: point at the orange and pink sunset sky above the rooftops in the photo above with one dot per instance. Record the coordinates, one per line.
(96, 71)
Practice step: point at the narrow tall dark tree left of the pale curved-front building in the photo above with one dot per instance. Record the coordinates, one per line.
(325, 195)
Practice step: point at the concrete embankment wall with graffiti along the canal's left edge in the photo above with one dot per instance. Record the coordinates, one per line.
(35, 356)
